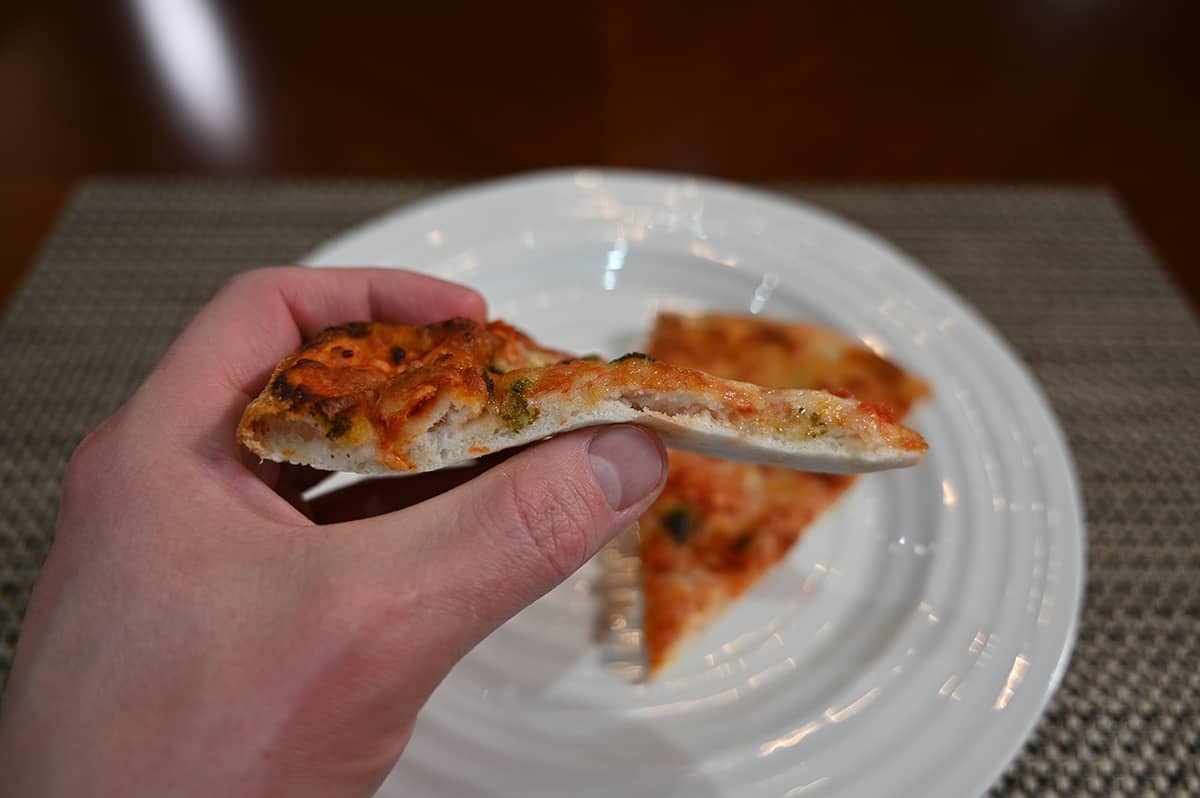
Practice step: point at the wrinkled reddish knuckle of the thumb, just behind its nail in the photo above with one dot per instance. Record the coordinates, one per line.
(556, 519)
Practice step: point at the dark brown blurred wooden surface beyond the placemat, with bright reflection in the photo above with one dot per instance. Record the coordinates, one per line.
(1096, 92)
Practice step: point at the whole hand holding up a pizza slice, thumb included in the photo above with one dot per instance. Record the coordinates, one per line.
(195, 633)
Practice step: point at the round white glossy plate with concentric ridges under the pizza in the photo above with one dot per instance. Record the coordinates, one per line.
(908, 645)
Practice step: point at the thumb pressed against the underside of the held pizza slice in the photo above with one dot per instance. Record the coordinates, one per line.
(463, 563)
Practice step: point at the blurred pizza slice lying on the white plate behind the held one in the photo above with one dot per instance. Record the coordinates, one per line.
(719, 526)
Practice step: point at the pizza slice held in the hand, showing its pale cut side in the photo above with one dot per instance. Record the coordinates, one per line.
(374, 398)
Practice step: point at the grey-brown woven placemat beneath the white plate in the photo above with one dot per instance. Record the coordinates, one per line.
(1060, 273)
